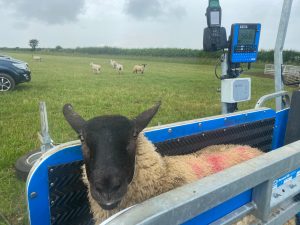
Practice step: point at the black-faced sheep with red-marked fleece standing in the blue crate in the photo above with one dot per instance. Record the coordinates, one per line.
(122, 167)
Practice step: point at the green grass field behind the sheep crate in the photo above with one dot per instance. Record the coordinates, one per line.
(187, 89)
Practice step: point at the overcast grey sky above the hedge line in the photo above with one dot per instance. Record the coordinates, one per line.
(134, 23)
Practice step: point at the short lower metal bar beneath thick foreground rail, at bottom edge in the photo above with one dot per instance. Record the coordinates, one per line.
(236, 215)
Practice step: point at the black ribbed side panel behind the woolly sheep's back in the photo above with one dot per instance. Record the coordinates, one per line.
(256, 134)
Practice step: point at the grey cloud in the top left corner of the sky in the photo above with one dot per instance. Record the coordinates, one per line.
(51, 12)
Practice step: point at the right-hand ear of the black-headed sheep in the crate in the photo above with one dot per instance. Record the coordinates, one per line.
(142, 120)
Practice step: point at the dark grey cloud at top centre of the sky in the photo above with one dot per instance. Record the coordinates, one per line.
(154, 9)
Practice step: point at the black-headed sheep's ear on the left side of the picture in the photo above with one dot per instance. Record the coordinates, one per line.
(76, 121)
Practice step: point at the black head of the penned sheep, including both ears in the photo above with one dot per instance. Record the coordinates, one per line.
(109, 147)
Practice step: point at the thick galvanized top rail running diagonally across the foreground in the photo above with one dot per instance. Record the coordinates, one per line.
(186, 202)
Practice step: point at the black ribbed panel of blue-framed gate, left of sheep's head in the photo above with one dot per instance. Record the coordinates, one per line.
(68, 195)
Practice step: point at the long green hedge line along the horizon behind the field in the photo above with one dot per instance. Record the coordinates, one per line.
(265, 56)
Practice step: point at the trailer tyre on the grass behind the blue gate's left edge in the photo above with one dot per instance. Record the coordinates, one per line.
(24, 163)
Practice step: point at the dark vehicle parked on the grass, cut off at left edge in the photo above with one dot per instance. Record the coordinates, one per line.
(12, 72)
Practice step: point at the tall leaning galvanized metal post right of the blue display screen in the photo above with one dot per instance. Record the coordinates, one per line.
(278, 61)
